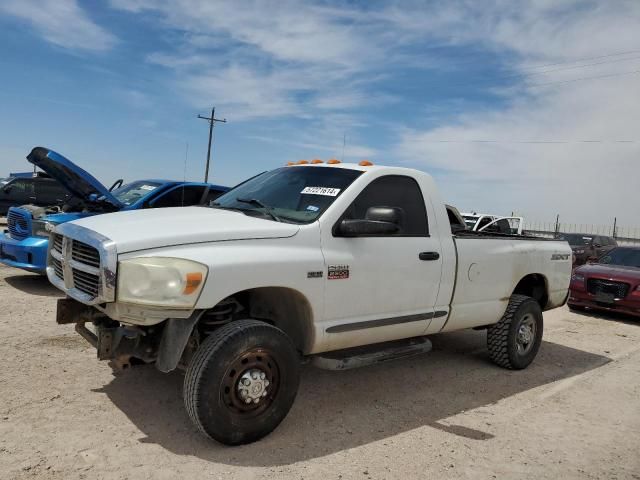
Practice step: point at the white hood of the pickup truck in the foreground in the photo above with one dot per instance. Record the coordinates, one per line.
(164, 227)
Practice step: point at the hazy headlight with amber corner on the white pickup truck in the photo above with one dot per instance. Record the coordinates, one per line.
(160, 281)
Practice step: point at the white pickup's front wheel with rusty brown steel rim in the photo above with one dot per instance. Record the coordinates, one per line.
(242, 382)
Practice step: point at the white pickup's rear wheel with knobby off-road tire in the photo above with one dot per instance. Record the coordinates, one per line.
(514, 341)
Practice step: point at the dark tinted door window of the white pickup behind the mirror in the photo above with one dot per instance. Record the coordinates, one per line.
(393, 191)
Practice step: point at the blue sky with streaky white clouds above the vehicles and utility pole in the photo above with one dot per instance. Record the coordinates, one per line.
(529, 107)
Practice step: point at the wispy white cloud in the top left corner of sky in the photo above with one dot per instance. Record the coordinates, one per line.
(61, 22)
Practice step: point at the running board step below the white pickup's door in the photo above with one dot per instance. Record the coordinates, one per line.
(371, 354)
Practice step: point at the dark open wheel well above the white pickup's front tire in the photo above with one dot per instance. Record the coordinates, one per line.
(285, 308)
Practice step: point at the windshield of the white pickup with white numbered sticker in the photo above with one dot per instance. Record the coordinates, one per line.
(290, 194)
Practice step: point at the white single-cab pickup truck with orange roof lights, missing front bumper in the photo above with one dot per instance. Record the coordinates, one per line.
(305, 262)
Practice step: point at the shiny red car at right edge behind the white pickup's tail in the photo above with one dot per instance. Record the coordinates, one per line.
(613, 283)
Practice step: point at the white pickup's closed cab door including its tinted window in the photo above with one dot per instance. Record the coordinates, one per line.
(378, 288)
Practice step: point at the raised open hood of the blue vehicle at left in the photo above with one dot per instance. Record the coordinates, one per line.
(79, 182)
